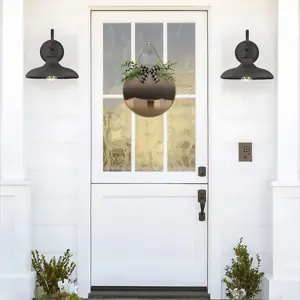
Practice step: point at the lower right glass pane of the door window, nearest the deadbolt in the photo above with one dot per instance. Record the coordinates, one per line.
(181, 135)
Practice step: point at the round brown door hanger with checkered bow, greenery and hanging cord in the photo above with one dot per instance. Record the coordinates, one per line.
(149, 91)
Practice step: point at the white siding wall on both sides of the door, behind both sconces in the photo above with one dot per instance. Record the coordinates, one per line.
(240, 192)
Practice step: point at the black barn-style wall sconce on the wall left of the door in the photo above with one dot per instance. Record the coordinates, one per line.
(52, 53)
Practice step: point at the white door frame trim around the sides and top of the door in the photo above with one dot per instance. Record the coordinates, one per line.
(84, 155)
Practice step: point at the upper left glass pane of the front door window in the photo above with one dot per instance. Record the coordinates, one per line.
(116, 50)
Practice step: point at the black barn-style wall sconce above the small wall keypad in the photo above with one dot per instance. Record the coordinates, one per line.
(247, 53)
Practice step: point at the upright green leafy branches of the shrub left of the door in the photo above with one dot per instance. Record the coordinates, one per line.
(49, 273)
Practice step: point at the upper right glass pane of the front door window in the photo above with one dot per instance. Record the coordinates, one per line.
(181, 49)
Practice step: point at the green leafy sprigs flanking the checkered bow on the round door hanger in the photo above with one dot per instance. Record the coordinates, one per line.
(133, 71)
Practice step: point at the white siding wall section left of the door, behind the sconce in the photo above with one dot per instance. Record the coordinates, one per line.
(51, 113)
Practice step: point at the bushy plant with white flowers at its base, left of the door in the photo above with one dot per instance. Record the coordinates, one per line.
(52, 277)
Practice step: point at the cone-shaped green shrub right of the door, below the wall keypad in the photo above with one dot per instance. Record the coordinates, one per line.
(241, 274)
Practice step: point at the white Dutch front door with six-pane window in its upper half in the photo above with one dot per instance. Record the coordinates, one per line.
(145, 228)
